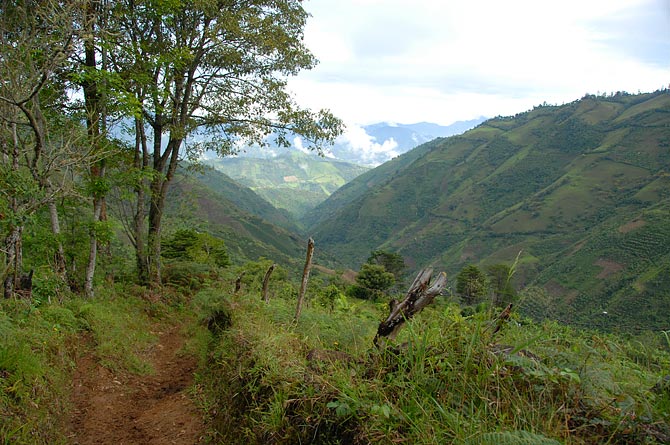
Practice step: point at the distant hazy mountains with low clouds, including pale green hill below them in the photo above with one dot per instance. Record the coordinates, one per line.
(297, 181)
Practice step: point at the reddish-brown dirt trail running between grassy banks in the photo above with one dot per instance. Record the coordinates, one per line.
(124, 409)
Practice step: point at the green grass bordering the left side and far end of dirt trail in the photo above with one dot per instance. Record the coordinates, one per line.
(40, 342)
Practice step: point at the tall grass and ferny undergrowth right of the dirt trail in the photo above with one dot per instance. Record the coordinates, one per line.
(447, 379)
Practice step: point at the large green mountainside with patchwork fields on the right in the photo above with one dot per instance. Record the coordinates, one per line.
(581, 191)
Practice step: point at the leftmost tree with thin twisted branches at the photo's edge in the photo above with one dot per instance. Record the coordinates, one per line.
(39, 143)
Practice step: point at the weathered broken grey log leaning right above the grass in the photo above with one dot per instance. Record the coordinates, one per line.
(418, 297)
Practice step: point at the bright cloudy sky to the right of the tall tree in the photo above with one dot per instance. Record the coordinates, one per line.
(441, 61)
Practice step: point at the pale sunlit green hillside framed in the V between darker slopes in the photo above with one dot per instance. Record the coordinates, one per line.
(294, 181)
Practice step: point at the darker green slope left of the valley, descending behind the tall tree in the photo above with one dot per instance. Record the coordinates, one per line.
(194, 202)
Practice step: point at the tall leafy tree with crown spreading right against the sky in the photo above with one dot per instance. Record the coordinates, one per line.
(215, 69)
